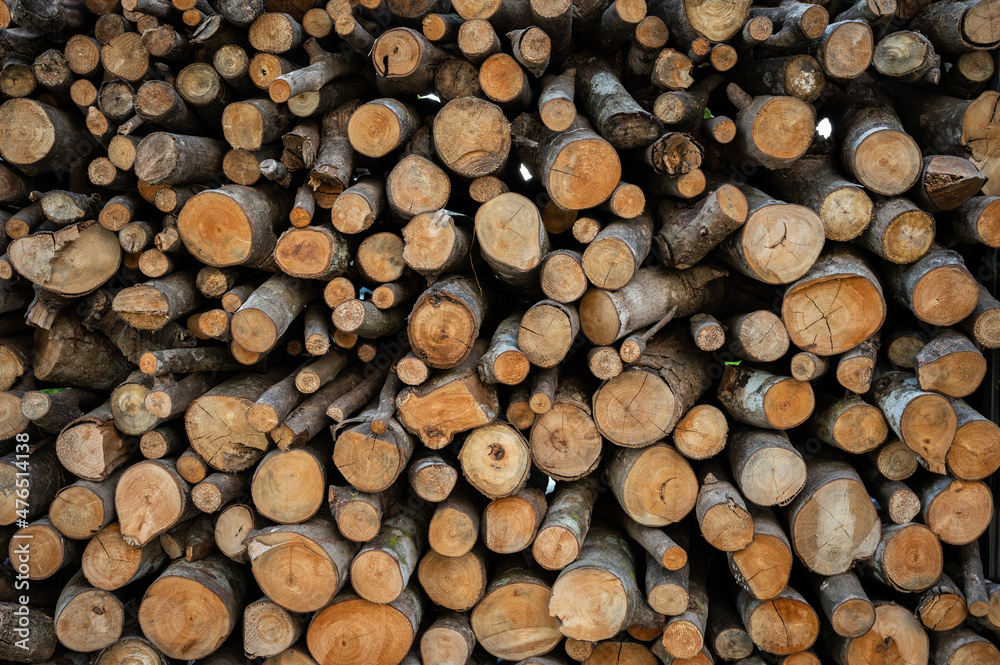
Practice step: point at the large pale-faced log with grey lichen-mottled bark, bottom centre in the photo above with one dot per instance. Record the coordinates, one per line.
(605, 556)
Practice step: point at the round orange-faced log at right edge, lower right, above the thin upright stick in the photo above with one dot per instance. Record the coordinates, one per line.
(957, 511)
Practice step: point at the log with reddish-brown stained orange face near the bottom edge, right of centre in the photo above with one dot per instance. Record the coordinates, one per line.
(783, 625)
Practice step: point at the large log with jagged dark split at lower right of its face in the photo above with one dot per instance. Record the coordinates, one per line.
(240, 447)
